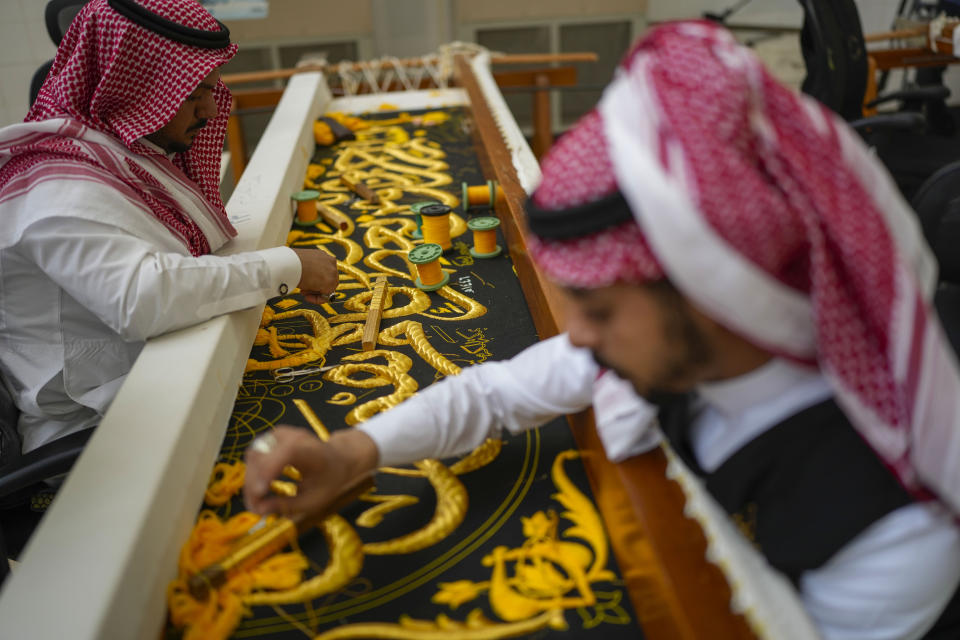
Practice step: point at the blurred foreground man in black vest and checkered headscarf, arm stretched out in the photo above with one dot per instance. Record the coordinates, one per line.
(731, 252)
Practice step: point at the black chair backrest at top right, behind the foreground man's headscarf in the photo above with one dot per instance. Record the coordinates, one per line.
(835, 55)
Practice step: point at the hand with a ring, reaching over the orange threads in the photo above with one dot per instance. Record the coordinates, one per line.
(328, 469)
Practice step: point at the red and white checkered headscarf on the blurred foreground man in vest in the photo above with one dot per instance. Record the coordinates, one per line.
(768, 213)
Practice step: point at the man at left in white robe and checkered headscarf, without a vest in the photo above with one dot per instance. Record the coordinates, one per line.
(110, 211)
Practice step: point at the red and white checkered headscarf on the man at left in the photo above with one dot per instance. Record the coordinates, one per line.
(117, 78)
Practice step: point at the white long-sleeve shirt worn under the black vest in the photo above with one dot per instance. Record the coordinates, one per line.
(890, 582)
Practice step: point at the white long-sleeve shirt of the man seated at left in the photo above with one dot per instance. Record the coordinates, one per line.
(79, 295)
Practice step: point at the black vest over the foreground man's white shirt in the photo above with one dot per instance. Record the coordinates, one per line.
(802, 489)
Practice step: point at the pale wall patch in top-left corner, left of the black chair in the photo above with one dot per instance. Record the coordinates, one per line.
(24, 46)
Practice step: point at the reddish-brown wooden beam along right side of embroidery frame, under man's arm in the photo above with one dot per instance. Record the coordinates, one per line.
(676, 592)
